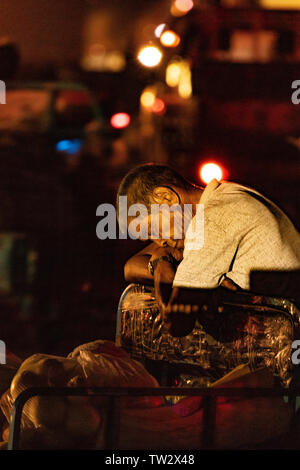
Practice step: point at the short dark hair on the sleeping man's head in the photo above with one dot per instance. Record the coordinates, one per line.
(140, 182)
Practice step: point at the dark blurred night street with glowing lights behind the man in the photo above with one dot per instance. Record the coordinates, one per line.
(94, 88)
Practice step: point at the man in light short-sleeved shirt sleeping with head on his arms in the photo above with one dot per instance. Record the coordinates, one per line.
(215, 236)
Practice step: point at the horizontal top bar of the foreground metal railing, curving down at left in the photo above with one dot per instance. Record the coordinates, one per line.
(15, 422)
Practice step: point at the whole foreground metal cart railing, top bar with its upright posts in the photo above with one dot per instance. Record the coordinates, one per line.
(114, 394)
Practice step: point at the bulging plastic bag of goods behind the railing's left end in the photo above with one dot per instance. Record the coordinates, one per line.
(68, 422)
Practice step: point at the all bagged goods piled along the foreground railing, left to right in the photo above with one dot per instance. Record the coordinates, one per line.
(68, 422)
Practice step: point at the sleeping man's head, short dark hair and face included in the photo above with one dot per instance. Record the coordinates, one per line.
(153, 185)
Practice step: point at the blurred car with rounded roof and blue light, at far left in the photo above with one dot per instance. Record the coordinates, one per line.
(58, 114)
